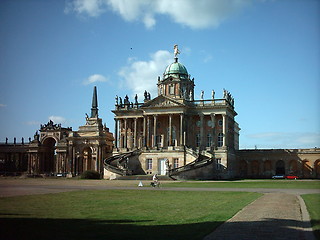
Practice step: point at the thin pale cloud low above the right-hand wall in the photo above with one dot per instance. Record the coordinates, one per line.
(285, 139)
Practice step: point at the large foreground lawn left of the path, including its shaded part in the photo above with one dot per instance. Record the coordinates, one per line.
(119, 214)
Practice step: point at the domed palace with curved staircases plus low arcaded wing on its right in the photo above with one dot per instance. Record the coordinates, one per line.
(175, 135)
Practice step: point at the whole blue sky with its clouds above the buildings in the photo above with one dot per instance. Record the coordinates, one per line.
(265, 52)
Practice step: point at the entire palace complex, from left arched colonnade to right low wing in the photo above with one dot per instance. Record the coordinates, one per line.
(173, 135)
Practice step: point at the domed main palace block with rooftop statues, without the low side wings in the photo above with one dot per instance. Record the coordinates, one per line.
(174, 131)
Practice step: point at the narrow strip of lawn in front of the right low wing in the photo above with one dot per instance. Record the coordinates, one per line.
(285, 184)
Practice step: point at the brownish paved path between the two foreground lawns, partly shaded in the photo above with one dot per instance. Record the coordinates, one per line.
(274, 216)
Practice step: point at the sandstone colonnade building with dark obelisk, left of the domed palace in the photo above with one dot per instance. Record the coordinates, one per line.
(56, 150)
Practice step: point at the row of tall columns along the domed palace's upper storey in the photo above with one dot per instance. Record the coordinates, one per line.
(143, 131)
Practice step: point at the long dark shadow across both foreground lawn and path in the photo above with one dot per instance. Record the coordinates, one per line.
(63, 229)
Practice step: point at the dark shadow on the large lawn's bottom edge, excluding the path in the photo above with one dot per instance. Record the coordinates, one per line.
(63, 229)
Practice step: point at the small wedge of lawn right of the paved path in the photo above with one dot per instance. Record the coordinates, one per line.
(313, 205)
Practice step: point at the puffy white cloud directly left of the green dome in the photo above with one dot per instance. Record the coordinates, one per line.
(139, 76)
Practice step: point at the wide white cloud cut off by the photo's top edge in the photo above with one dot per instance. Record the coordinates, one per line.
(192, 13)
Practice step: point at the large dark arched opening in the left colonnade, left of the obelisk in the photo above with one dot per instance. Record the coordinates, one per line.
(49, 156)
